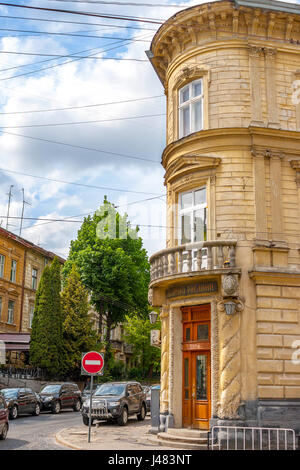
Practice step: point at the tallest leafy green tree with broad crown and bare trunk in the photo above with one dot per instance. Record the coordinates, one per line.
(113, 266)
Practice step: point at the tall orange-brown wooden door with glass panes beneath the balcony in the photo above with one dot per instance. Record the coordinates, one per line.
(196, 367)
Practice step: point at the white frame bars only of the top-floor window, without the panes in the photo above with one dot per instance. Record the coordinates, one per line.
(189, 104)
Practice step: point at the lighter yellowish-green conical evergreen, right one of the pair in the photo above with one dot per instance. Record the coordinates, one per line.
(78, 333)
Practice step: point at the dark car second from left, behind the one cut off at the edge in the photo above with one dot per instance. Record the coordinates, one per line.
(21, 401)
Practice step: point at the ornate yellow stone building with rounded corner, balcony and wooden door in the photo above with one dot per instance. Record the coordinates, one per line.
(228, 283)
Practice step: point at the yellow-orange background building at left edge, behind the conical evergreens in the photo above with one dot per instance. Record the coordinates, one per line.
(21, 267)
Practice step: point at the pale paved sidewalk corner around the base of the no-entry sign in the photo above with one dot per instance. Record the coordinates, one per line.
(108, 436)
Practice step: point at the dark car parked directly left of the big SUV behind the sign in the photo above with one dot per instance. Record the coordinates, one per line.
(55, 397)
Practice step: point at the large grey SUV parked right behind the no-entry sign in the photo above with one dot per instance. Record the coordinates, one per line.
(116, 401)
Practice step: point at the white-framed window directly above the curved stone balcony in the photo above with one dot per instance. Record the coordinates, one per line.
(193, 216)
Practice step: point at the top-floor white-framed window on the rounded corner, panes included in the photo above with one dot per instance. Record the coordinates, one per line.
(191, 108)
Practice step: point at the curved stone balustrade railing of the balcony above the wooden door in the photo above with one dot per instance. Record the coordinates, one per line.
(201, 256)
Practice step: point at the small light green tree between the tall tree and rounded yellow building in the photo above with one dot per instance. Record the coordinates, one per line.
(137, 333)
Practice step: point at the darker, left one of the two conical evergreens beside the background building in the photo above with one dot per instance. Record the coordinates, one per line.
(46, 335)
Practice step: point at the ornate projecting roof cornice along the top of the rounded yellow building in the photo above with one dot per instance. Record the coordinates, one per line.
(219, 22)
